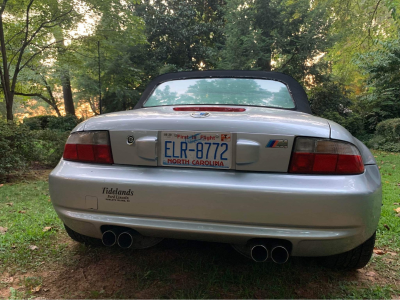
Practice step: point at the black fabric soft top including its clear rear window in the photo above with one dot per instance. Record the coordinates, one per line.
(265, 89)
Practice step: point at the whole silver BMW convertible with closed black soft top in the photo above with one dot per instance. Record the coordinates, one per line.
(225, 156)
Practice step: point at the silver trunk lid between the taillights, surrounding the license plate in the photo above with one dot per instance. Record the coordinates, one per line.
(261, 139)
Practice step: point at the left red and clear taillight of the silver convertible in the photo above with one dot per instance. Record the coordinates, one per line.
(89, 146)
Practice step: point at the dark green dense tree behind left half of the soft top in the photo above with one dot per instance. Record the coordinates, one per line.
(183, 34)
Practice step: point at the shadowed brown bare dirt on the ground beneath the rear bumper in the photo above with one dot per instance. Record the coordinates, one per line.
(192, 269)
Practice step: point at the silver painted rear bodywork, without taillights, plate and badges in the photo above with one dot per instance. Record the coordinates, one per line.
(320, 215)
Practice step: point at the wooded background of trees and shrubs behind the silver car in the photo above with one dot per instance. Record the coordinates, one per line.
(58, 57)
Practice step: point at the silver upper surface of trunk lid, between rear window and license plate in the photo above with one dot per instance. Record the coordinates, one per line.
(253, 120)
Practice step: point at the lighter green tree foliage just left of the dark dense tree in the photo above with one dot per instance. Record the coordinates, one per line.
(107, 52)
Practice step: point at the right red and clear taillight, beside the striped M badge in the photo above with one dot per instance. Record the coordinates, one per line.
(317, 156)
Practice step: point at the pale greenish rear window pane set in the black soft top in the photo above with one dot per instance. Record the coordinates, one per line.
(222, 91)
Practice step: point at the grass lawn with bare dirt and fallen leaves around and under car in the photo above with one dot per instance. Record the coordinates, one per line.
(37, 259)
